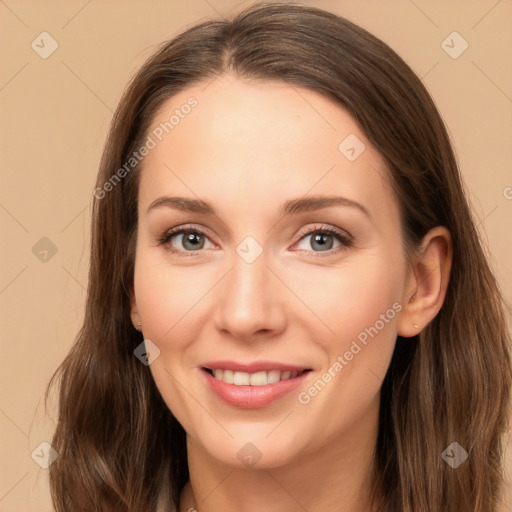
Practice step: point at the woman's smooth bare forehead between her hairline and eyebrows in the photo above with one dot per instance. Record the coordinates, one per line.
(258, 143)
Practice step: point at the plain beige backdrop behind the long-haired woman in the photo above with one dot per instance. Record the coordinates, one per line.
(55, 114)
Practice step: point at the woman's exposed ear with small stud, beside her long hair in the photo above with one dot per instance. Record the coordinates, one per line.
(427, 282)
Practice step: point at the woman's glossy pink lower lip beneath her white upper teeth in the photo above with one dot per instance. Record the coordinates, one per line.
(252, 397)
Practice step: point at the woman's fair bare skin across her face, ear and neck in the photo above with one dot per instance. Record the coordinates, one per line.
(246, 148)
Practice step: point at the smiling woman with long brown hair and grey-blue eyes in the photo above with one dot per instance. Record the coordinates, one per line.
(289, 307)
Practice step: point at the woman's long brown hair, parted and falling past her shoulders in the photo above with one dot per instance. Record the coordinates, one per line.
(119, 446)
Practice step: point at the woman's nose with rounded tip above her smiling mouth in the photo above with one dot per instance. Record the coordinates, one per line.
(250, 301)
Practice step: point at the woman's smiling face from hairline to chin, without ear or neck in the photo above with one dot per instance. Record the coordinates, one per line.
(263, 288)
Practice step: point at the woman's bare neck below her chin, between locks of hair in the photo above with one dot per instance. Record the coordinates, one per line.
(337, 477)
